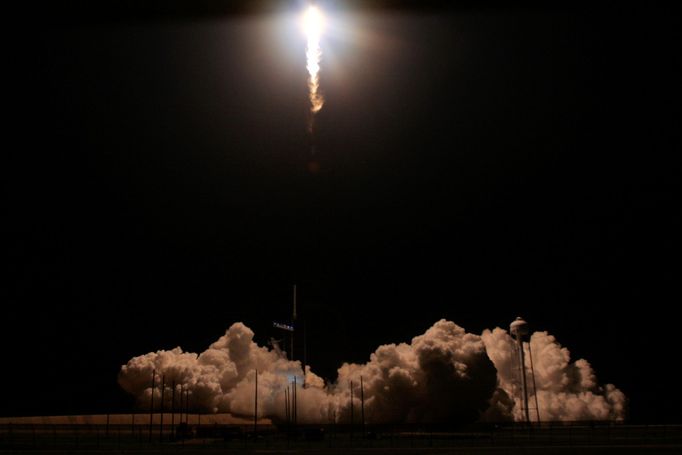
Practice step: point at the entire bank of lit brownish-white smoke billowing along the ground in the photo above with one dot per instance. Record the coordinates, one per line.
(442, 375)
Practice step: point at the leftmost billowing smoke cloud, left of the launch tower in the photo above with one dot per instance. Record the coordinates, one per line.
(220, 379)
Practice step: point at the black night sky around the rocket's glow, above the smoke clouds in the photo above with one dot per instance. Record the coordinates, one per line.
(475, 163)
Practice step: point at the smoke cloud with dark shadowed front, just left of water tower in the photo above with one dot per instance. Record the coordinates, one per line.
(442, 375)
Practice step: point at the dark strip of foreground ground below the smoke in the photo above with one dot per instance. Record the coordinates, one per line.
(581, 438)
